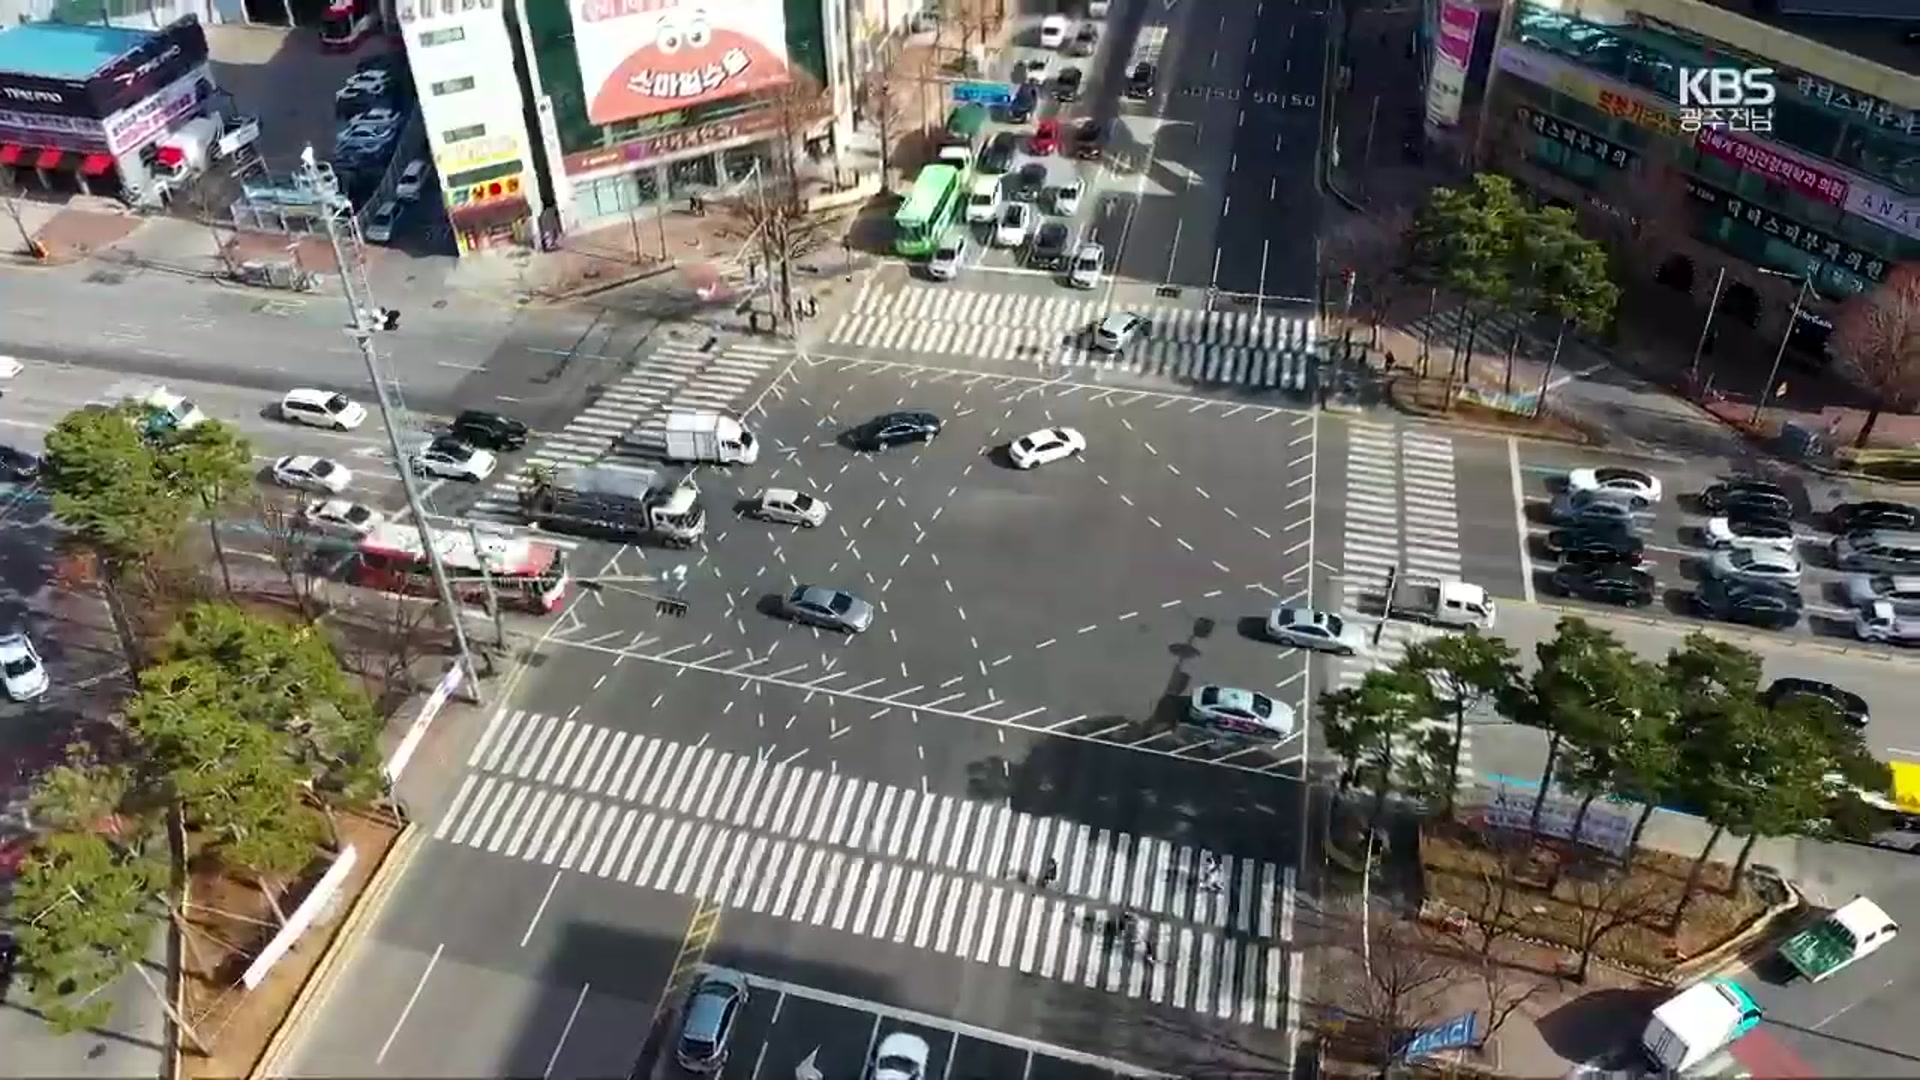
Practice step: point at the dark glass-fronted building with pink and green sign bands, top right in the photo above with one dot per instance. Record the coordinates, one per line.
(1821, 185)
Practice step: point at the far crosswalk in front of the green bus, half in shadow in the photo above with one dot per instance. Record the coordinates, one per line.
(1222, 349)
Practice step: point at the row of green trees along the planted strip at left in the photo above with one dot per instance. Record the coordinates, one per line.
(237, 749)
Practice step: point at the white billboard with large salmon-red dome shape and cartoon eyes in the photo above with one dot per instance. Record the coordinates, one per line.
(652, 57)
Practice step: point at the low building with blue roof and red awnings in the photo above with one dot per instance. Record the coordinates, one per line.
(93, 109)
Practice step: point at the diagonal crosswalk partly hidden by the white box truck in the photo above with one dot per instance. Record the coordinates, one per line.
(629, 420)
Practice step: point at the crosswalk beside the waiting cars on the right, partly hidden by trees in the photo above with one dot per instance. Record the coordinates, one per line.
(1401, 512)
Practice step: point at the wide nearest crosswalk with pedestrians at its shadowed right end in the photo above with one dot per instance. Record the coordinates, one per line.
(1211, 933)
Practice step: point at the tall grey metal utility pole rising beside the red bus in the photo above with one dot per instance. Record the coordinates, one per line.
(364, 322)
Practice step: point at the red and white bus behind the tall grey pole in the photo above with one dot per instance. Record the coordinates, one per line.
(527, 574)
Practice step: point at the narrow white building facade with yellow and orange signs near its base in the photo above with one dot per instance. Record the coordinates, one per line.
(466, 76)
